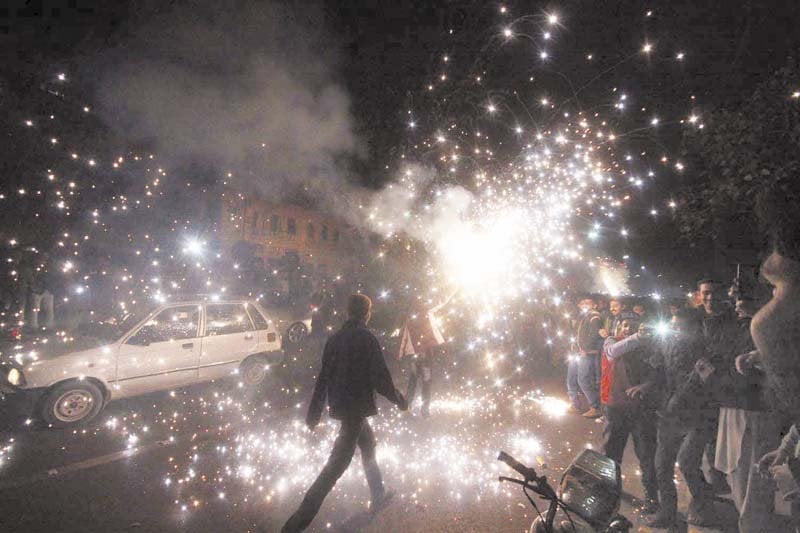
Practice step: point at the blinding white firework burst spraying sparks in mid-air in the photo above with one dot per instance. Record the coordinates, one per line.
(521, 198)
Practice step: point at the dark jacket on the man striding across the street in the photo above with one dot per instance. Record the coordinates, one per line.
(353, 369)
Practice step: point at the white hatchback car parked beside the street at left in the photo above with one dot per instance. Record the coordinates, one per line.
(176, 345)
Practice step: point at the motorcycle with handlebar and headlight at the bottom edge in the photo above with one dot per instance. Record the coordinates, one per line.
(587, 499)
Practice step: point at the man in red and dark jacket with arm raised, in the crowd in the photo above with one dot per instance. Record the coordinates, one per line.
(628, 396)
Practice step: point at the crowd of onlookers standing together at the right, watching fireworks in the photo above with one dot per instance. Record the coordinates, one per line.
(691, 388)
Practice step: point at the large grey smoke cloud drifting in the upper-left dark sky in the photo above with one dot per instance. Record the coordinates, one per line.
(243, 86)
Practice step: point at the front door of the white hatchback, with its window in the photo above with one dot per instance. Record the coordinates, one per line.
(161, 353)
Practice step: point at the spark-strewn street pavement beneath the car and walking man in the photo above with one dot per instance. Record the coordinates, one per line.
(221, 458)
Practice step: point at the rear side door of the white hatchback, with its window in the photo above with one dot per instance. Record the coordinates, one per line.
(229, 337)
